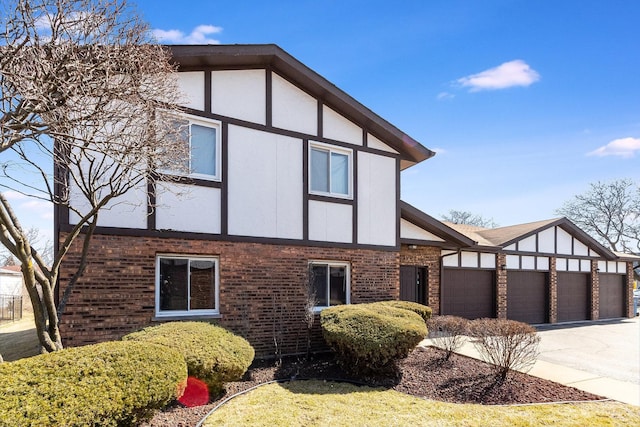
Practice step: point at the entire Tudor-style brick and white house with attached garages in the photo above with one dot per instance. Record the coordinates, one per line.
(294, 185)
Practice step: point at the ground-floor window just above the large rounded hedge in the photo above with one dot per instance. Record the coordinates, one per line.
(330, 283)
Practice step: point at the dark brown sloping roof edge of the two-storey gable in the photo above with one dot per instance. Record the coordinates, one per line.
(198, 57)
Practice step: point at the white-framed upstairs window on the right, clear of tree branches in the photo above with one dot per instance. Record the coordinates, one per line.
(330, 170)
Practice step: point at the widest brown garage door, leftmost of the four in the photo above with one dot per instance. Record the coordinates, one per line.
(468, 293)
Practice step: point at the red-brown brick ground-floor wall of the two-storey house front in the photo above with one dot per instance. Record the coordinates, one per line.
(261, 287)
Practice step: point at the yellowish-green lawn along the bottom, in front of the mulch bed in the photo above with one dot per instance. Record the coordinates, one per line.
(319, 403)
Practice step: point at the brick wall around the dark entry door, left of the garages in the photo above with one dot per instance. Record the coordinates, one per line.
(426, 256)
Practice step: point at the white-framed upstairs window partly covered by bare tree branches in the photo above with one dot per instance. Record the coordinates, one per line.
(204, 160)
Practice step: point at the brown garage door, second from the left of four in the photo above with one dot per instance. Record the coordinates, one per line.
(527, 296)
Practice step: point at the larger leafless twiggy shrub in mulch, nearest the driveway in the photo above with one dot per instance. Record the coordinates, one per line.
(506, 344)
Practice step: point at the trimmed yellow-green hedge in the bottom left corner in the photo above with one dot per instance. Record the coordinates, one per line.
(108, 384)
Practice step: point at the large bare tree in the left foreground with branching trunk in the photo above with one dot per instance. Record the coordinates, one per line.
(82, 87)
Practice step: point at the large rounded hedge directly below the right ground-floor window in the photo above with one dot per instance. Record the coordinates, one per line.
(371, 337)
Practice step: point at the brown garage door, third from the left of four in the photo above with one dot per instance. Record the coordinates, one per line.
(573, 297)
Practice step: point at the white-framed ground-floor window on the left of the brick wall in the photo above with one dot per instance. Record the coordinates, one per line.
(187, 285)
